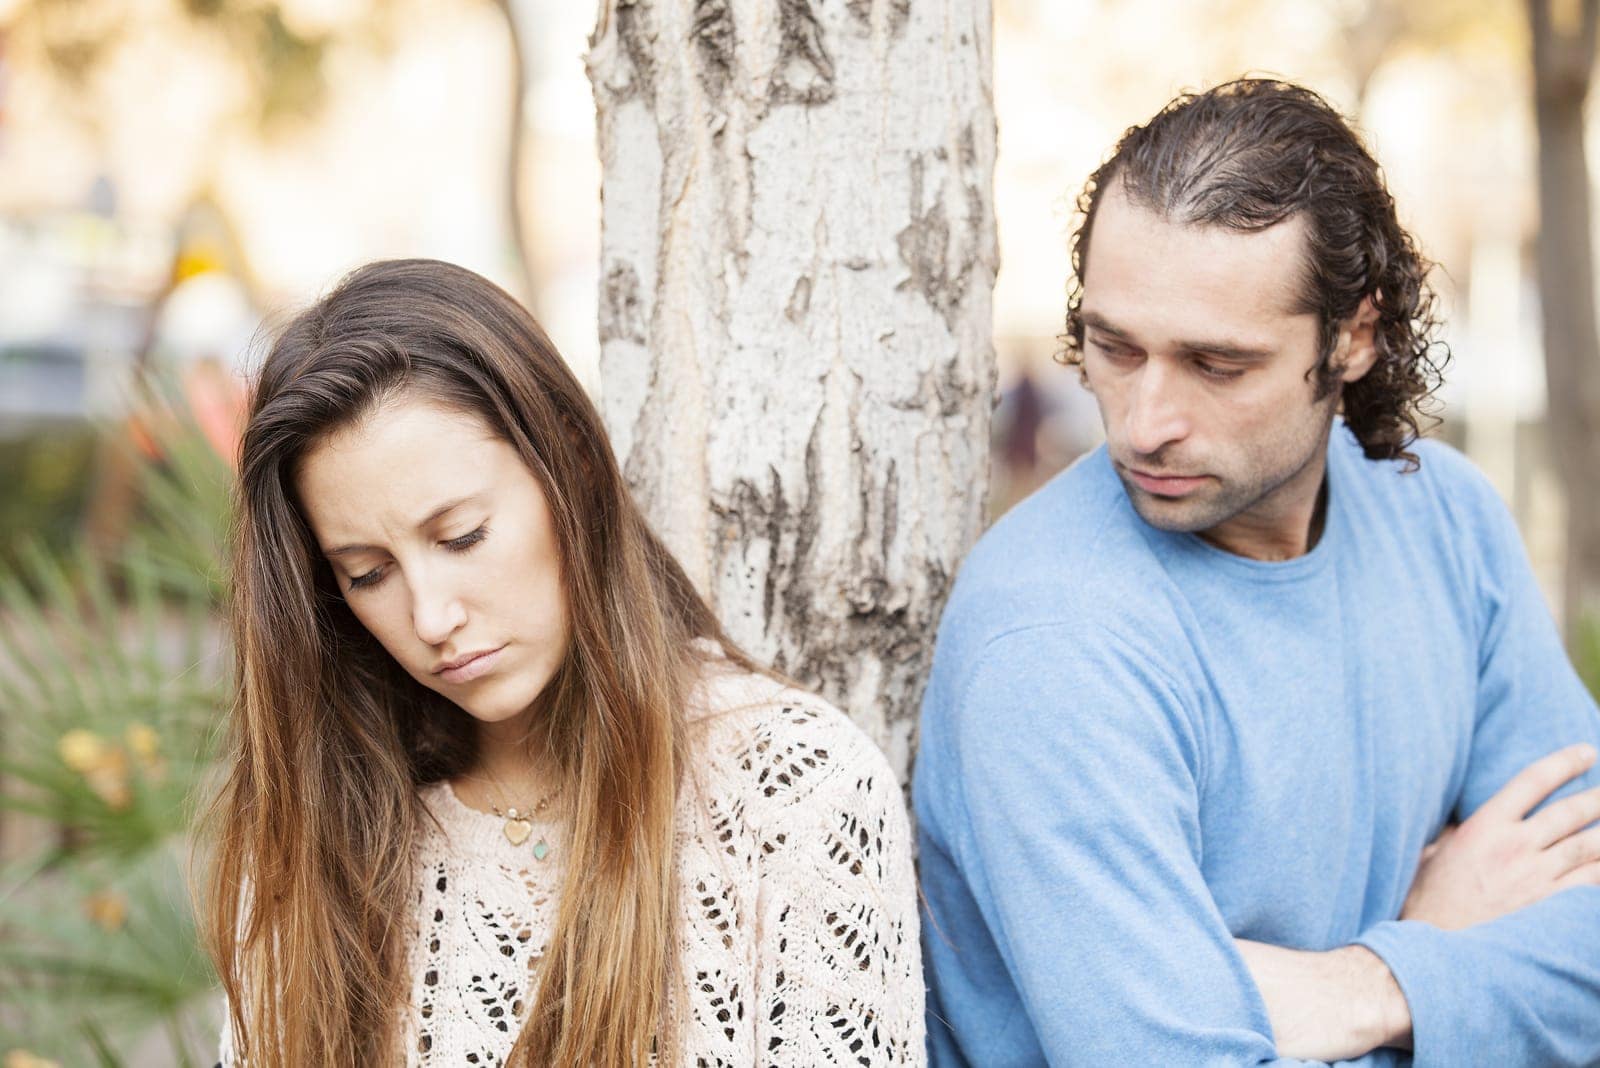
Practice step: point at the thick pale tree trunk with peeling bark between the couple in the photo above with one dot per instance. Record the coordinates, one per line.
(798, 263)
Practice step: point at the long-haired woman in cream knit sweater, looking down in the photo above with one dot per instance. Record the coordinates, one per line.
(500, 789)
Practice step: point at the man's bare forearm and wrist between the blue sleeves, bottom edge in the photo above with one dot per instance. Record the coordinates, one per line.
(1329, 1006)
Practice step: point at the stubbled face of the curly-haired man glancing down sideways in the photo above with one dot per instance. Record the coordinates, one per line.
(1201, 364)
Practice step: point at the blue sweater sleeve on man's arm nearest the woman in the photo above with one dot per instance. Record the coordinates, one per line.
(1070, 922)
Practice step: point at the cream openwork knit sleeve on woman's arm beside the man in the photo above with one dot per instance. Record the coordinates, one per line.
(839, 979)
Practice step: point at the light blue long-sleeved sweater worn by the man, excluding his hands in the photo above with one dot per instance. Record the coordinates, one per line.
(1138, 747)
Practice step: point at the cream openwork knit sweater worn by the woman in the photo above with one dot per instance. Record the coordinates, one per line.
(798, 909)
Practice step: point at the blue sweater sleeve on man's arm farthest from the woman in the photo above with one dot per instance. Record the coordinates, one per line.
(1522, 990)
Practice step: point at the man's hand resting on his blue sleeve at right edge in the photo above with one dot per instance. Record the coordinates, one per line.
(1502, 859)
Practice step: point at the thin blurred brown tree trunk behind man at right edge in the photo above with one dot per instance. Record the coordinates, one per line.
(1562, 63)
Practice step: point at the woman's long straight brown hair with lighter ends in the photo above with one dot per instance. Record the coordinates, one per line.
(330, 739)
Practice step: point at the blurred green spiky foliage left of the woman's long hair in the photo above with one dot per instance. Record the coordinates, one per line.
(113, 679)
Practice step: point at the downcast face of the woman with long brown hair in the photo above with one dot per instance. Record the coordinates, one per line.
(442, 543)
